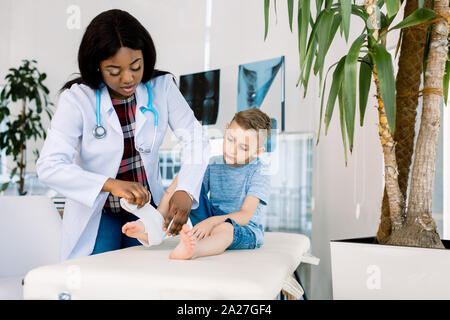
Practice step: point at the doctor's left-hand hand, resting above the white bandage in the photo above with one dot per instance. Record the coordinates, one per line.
(134, 192)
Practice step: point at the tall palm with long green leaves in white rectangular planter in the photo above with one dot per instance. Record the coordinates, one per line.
(406, 259)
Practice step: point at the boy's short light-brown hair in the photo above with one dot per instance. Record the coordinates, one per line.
(254, 119)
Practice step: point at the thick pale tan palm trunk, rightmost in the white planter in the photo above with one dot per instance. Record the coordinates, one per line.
(419, 228)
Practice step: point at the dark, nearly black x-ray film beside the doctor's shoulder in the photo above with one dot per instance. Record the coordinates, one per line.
(201, 91)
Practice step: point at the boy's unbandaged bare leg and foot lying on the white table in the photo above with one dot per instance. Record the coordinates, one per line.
(220, 239)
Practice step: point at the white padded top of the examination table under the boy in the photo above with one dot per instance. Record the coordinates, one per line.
(148, 273)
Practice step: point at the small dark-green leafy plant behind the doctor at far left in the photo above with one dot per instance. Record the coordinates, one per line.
(23, 85)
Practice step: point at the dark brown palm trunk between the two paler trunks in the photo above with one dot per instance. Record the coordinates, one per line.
(407, 85)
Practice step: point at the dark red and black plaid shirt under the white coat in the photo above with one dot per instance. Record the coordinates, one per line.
(131, 167)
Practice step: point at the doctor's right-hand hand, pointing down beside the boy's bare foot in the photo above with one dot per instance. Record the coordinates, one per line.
(179, 207)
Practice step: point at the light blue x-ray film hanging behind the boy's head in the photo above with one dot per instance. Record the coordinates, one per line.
(254, 81)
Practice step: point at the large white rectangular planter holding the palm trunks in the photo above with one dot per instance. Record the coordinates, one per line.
(362, 269)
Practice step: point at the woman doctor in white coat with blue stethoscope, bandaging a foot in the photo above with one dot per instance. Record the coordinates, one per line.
(103, 141)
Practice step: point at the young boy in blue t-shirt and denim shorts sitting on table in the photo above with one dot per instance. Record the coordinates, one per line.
(238, 184)
